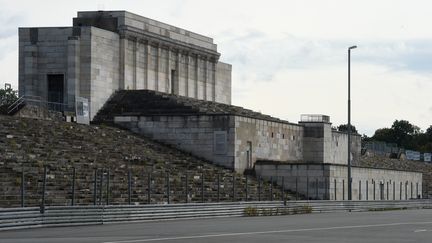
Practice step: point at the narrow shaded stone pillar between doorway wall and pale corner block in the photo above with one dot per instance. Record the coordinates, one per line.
(73, 71)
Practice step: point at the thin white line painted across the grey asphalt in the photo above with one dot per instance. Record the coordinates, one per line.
(266, 232)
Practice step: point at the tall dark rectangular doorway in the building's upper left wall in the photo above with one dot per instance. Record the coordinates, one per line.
(55, 91)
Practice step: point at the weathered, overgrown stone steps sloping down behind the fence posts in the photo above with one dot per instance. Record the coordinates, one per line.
(27, 145)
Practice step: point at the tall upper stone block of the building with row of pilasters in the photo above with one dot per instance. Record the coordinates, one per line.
(105, 51)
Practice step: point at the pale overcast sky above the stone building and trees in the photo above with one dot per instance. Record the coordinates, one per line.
(289, 57)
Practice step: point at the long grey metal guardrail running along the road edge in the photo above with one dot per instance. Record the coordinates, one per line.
(21, 218)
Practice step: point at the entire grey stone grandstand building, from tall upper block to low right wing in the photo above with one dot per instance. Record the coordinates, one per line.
(167, 83)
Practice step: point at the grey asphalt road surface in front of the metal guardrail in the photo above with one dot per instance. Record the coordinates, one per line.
(390, 226)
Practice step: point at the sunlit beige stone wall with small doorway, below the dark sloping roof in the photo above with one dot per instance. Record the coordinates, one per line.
(269, 140)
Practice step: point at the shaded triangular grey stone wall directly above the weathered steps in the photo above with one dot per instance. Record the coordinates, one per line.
(194, 134)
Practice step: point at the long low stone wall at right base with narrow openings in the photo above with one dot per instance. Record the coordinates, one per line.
(325, 181)
